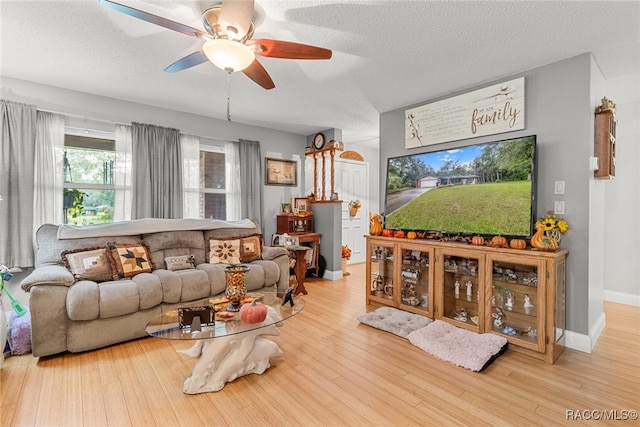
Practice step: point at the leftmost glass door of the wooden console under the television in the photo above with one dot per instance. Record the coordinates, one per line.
(380, 272)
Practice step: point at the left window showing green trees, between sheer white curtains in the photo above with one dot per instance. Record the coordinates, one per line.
(89, 190)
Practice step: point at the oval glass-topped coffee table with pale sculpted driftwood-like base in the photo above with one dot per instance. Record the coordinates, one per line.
(226, 348)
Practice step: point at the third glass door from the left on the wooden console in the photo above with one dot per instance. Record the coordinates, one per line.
(461, 289)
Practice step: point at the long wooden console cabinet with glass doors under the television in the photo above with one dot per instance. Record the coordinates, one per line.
(519, 294)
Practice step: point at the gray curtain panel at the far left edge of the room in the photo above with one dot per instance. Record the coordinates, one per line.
(18, 122)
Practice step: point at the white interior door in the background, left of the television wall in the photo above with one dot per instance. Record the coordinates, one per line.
(353, 184)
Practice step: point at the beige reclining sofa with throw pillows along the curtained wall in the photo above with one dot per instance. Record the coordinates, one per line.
(182, 265)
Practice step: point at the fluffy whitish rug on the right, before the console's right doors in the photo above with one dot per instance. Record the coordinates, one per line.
(459, 346)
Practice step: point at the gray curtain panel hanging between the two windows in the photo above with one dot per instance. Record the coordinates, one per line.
(157, 172)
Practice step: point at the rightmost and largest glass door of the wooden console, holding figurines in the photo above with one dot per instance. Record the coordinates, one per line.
(517, 301)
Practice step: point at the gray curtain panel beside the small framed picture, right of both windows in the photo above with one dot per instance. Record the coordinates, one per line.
(250, 179)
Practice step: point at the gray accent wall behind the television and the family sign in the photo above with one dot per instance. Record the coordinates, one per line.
(559, 110)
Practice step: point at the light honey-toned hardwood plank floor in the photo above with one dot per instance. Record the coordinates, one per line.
(334, 372)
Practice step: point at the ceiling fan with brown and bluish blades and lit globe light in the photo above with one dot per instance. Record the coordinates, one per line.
(228, 42)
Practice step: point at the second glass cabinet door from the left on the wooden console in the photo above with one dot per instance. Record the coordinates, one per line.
(416, 289)
